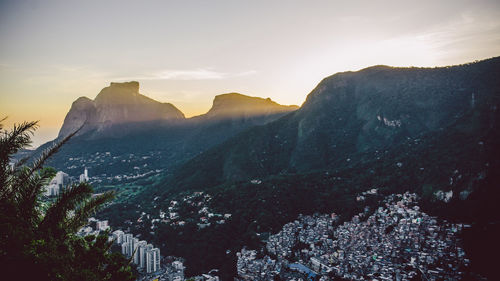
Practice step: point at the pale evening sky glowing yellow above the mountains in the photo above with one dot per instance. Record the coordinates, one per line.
(186, 52)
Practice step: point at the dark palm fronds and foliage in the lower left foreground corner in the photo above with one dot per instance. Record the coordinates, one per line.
(37, 239)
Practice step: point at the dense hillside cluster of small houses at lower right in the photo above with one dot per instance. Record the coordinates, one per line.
(396, 242)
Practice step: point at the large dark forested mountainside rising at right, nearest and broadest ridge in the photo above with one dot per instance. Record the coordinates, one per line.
(350, 114)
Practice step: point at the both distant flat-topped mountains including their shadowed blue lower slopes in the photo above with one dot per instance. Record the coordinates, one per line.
(121, 121)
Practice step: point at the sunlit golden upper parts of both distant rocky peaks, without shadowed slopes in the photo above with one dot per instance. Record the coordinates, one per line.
(121, 103)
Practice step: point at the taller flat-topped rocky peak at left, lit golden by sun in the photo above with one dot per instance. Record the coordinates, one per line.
(119, 103)
